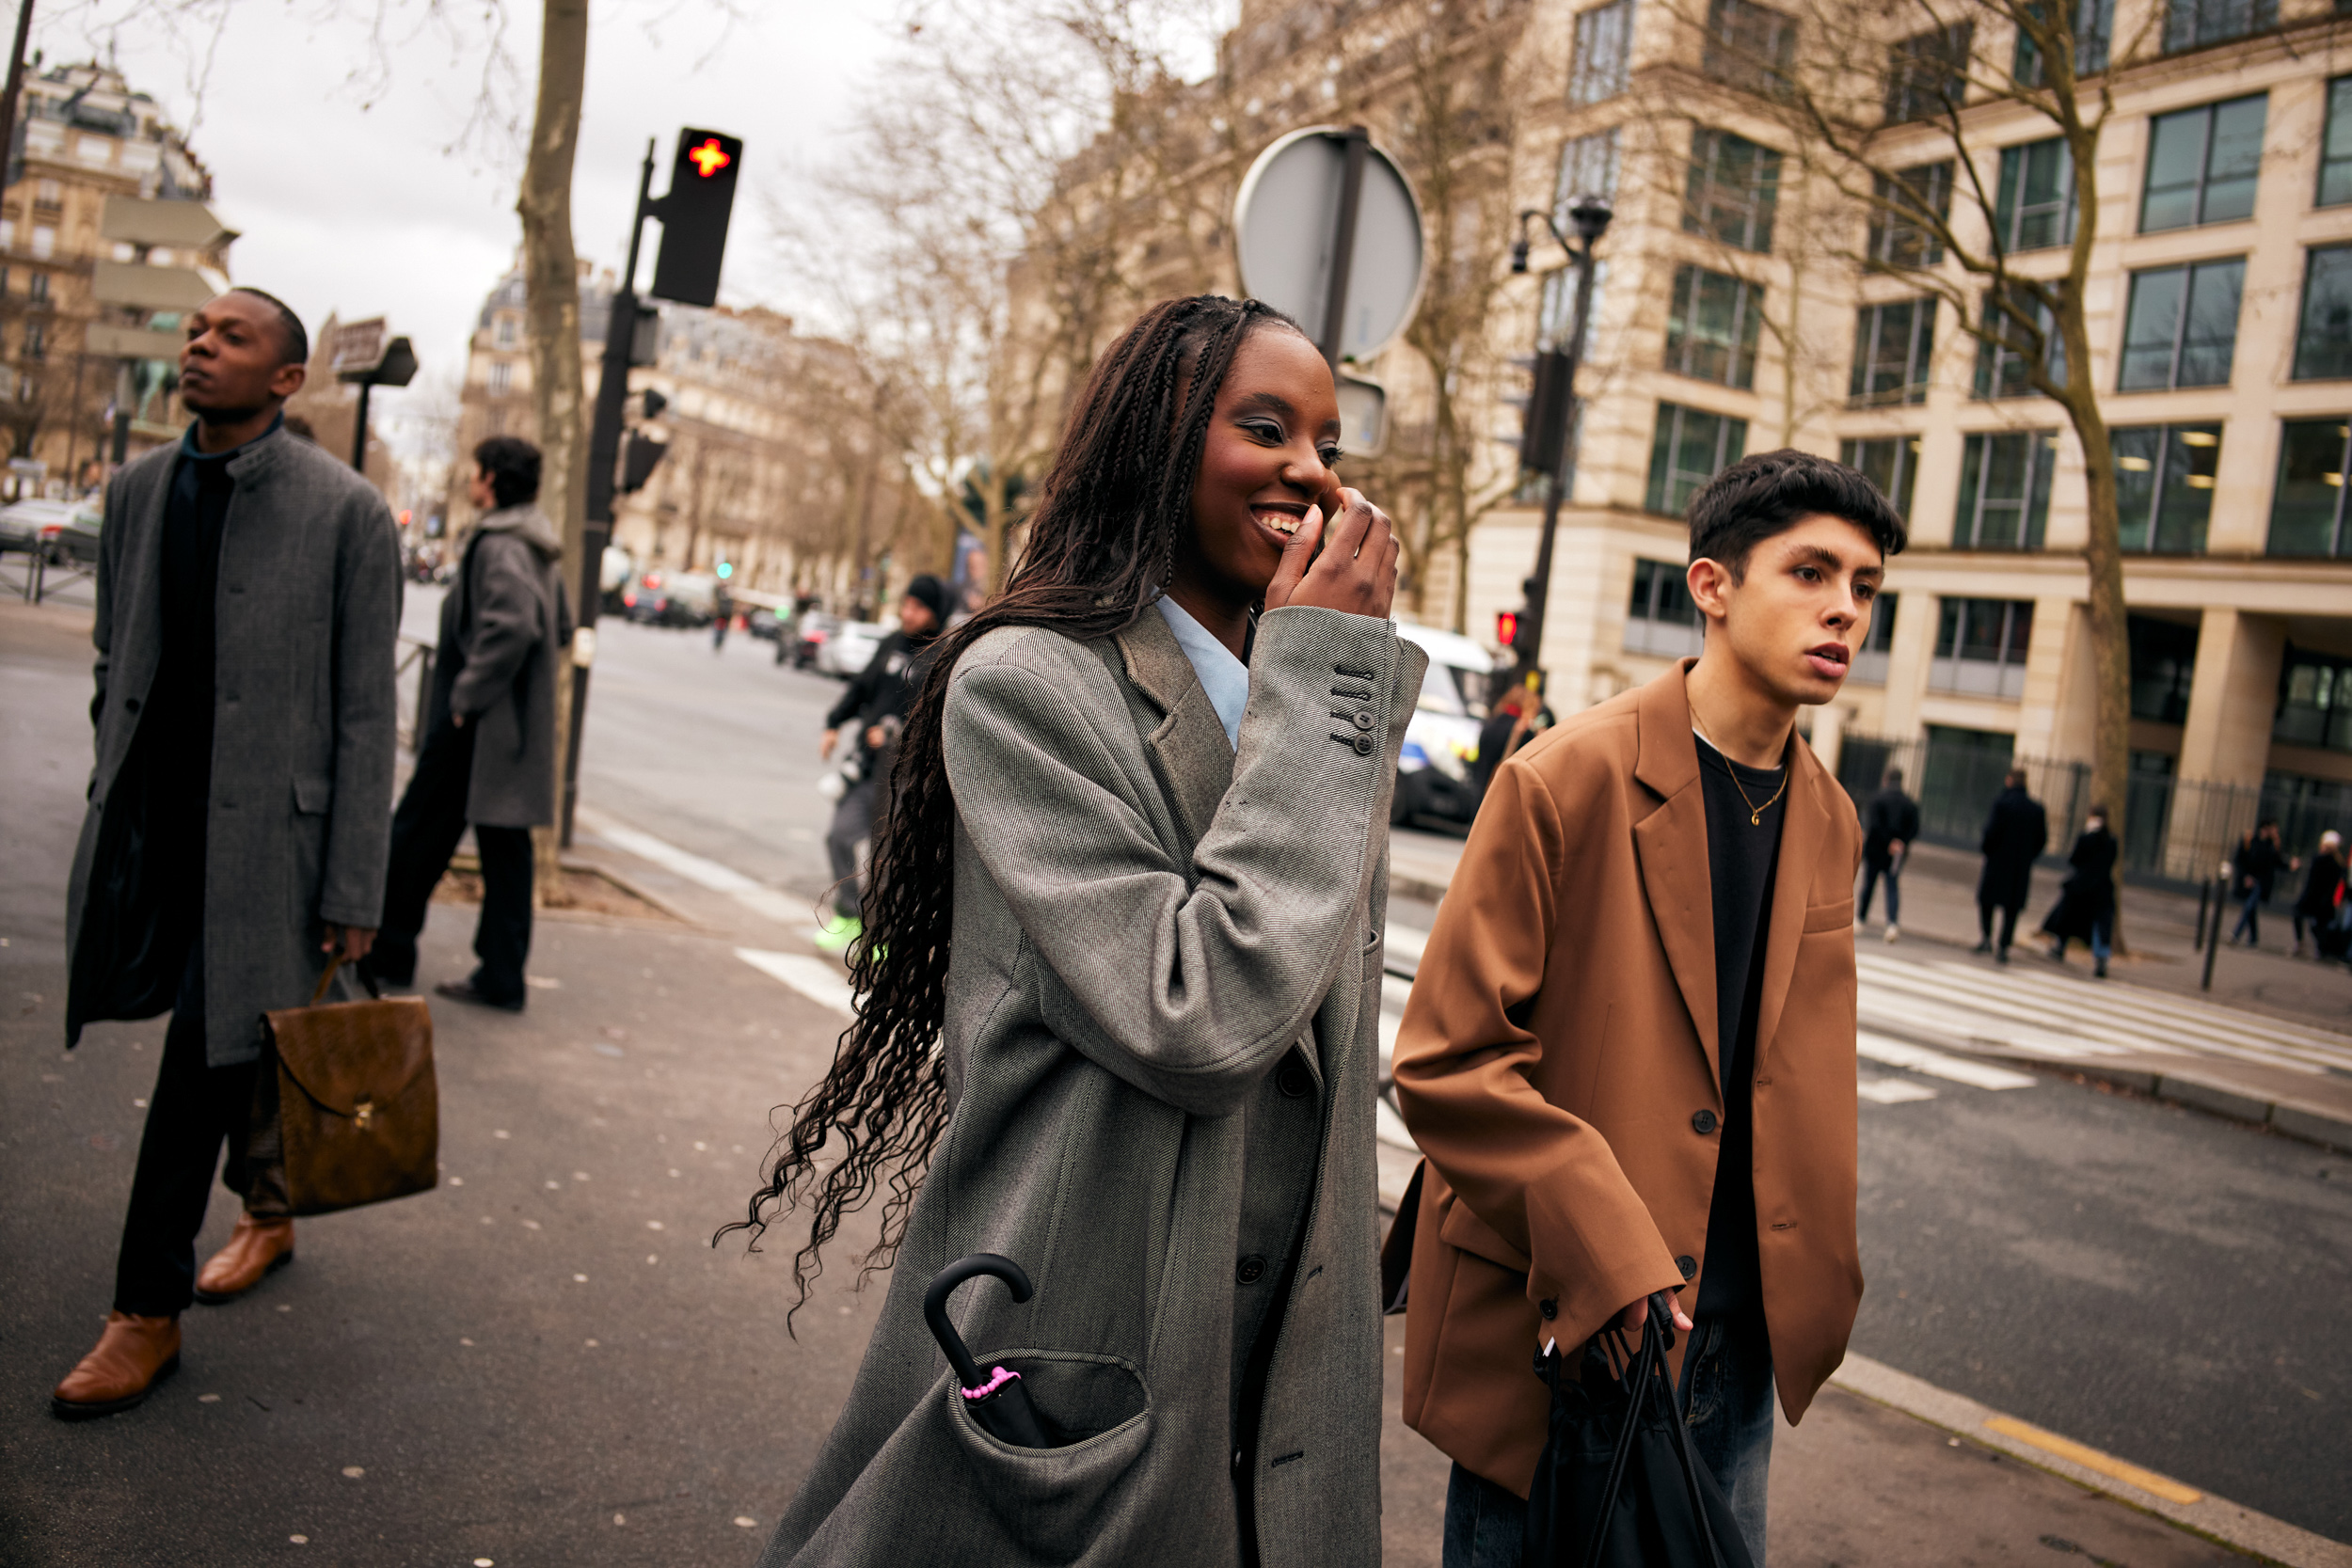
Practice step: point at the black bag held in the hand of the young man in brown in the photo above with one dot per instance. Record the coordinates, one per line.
(1619, 1485)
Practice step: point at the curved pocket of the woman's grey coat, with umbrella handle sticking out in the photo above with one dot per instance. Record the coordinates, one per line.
(1057, 1501)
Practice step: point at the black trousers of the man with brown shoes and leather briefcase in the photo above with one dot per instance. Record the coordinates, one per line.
(192, 1113)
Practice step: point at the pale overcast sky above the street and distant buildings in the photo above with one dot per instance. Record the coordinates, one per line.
(363, 208)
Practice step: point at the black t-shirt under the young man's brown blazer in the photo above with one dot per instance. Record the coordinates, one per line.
(1744, 852)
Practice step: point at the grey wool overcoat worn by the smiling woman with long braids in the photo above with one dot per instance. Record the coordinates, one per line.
(1163, 1057)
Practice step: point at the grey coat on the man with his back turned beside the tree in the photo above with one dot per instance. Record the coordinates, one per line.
(502, 650)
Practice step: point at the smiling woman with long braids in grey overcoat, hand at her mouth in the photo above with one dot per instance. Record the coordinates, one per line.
(1118, 1003)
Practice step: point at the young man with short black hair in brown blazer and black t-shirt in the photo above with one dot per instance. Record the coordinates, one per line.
(1629, 1054)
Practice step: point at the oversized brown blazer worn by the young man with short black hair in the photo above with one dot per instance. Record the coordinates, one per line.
(1561, 1045)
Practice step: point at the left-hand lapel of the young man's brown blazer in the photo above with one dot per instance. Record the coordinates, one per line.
(1673, 850)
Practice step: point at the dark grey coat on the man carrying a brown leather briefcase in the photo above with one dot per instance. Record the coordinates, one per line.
(302, 732)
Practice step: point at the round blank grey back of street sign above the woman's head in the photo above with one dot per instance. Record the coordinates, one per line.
(1285, 225)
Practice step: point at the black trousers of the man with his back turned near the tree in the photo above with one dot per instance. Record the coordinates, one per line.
(427, 829)
